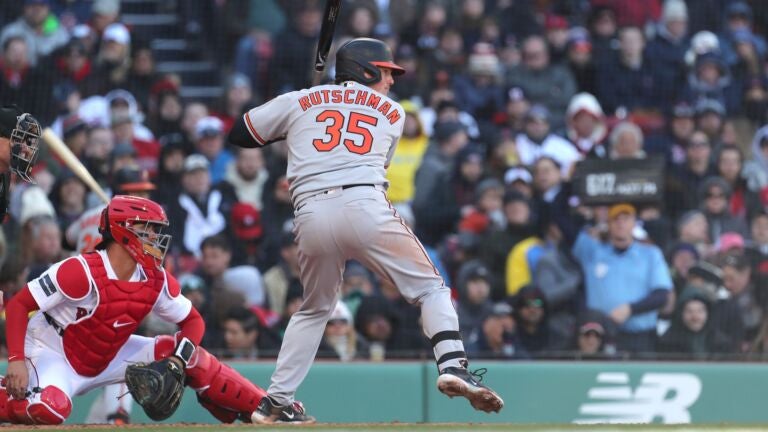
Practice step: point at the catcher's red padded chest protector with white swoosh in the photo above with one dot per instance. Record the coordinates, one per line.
(90, 344)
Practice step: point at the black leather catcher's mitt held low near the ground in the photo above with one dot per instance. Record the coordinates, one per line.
(156, 386)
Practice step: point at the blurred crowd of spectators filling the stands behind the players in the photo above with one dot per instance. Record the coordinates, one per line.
(504, 99)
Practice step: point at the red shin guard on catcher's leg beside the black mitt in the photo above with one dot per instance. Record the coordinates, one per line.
(221, 389)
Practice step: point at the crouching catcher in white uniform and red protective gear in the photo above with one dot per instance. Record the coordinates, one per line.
(89, 307)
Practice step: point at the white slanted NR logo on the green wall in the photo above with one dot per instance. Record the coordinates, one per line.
(660, 396)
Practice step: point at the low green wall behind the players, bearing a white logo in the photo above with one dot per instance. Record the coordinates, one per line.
(552, 392)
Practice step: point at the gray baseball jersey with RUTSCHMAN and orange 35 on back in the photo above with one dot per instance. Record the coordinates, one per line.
(336, 135)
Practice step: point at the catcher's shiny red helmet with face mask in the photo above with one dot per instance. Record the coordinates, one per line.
(137, 225)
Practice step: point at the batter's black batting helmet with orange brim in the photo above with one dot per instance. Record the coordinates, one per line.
(361, 55)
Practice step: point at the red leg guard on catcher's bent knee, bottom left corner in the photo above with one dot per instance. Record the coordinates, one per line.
(51, 406)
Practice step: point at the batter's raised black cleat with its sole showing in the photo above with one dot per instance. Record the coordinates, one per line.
(455, 381)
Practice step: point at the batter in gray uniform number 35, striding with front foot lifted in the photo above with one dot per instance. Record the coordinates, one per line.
(340, 140)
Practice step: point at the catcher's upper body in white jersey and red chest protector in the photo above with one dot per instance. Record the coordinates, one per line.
(98, 312)
